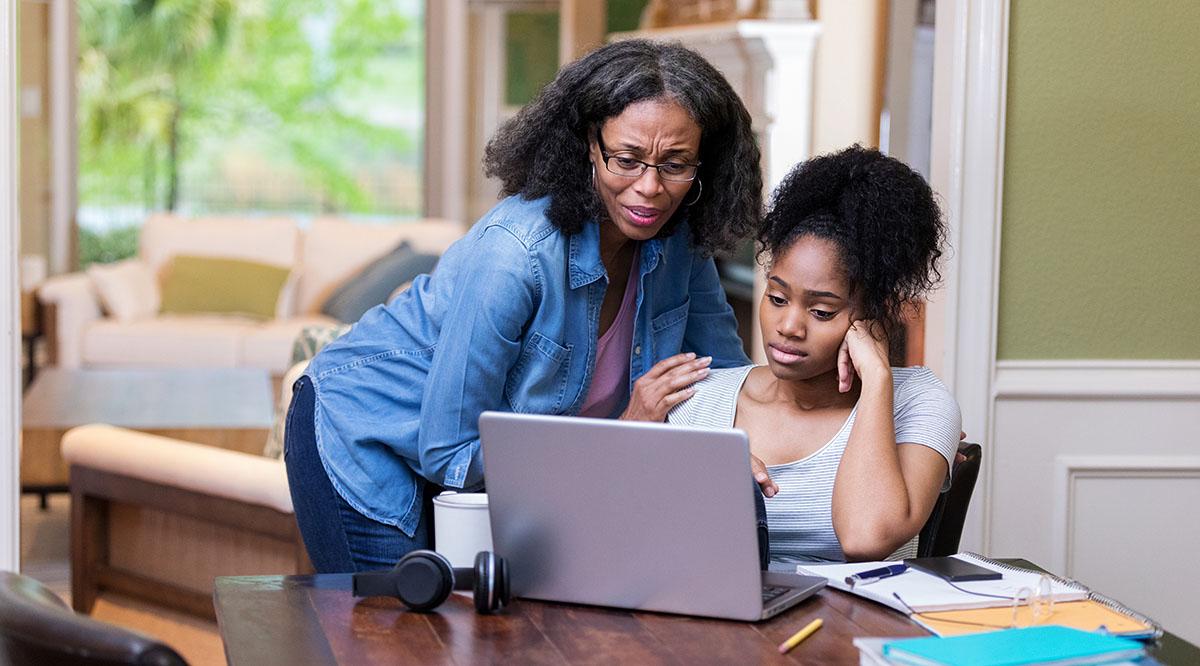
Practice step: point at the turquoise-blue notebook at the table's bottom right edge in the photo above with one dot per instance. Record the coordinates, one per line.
(1015, 647)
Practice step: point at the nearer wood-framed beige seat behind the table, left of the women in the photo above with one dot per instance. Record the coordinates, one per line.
(159, 519)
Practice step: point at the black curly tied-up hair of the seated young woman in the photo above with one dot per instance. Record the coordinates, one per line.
(880, 214)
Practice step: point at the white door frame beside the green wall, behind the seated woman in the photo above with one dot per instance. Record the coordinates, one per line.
(968, 170)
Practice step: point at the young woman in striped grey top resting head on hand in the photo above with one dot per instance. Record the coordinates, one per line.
(851, 467)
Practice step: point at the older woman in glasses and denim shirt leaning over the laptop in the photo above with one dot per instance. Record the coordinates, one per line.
(590, 290)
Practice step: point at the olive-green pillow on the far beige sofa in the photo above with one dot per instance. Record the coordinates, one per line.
(211, 285)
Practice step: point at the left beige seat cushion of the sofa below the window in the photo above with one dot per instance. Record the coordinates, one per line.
(167, 341)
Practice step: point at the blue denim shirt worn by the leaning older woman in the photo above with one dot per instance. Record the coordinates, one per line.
(508, 321)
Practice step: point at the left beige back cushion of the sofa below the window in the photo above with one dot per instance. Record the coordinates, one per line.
(271, 241)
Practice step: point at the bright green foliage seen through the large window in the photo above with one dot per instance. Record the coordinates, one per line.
(293, 106)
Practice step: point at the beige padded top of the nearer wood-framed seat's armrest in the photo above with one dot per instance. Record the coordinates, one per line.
(161, 460)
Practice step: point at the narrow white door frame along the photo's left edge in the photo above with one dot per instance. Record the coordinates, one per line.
(10, 317)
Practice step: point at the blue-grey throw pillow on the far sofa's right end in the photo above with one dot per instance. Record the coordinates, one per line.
(376, 283)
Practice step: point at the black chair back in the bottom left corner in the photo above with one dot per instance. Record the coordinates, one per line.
(38, 628)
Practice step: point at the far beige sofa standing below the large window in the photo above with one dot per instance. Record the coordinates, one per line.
(321, 257)
